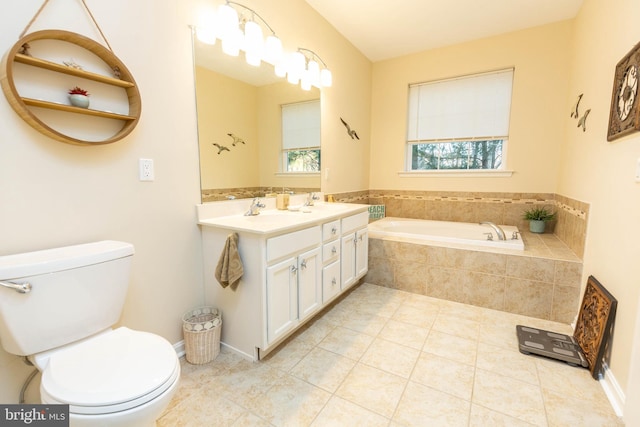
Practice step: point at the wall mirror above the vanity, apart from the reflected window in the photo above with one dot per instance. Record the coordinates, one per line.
(239, 127)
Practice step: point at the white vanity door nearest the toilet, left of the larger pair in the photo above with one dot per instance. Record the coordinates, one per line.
(282, 298)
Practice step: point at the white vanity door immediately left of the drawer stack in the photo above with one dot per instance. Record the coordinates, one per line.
(309, 283)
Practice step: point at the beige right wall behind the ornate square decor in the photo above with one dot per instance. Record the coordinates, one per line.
(602, 173)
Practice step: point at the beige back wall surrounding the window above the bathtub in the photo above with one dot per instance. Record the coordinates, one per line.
(541, 61)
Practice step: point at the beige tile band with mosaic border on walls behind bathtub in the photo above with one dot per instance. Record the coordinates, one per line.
(501, 208)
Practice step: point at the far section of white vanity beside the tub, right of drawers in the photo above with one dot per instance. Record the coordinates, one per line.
(355, 248)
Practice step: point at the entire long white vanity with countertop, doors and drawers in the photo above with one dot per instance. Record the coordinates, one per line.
(291, 270)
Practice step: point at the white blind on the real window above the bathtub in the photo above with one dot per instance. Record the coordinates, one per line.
(473, 107)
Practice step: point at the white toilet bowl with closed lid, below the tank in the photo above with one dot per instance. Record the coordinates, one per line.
(118, 378)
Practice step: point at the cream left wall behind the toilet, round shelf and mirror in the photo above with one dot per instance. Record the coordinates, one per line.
(54, 194)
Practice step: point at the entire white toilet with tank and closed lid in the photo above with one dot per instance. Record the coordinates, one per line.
(58, 307)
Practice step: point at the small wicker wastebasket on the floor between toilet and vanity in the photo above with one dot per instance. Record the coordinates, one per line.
(201, 329)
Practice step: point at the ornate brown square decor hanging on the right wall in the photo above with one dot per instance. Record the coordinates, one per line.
(624, 117)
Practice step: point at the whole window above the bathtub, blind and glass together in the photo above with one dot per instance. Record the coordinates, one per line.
(459, 124)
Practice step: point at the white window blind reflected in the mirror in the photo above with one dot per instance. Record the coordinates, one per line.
(301, 125)
